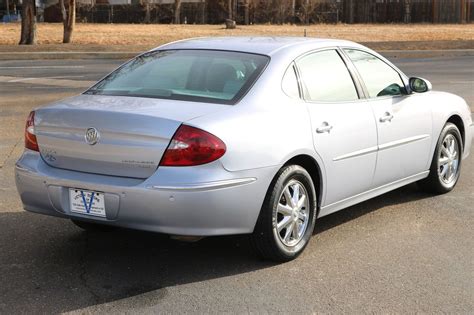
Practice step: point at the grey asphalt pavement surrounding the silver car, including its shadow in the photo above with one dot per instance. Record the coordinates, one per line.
(403, 252)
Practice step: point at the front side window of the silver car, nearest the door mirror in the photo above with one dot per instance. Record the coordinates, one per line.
(380, 79)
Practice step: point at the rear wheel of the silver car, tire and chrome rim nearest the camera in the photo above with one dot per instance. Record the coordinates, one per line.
(287, 217)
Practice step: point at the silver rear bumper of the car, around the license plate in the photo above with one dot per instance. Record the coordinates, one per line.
(199, 201)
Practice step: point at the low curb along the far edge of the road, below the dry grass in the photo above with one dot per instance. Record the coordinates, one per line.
(130, 54)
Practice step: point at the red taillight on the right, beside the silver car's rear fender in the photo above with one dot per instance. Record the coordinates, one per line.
(192, 146)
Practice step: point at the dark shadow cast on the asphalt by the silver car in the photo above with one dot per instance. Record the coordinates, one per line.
(47, 265)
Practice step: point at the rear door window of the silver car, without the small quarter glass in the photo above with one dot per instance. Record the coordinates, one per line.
(326, 78)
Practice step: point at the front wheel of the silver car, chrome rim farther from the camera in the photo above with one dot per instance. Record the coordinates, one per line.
(446, 163)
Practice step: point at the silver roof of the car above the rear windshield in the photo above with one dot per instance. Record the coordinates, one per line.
(257, 45)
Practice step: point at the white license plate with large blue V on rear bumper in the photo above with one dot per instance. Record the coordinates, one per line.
(87, 202)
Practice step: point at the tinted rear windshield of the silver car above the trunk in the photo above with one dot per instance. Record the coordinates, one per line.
(190, 75)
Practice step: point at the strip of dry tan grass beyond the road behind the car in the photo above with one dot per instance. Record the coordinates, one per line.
(154, 35)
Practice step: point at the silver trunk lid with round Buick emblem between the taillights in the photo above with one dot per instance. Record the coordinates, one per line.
(132, 133)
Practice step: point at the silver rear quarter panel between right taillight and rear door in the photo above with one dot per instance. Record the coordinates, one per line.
(264, 129)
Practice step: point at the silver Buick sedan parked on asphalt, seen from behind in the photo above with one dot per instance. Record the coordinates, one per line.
(255, 135)
